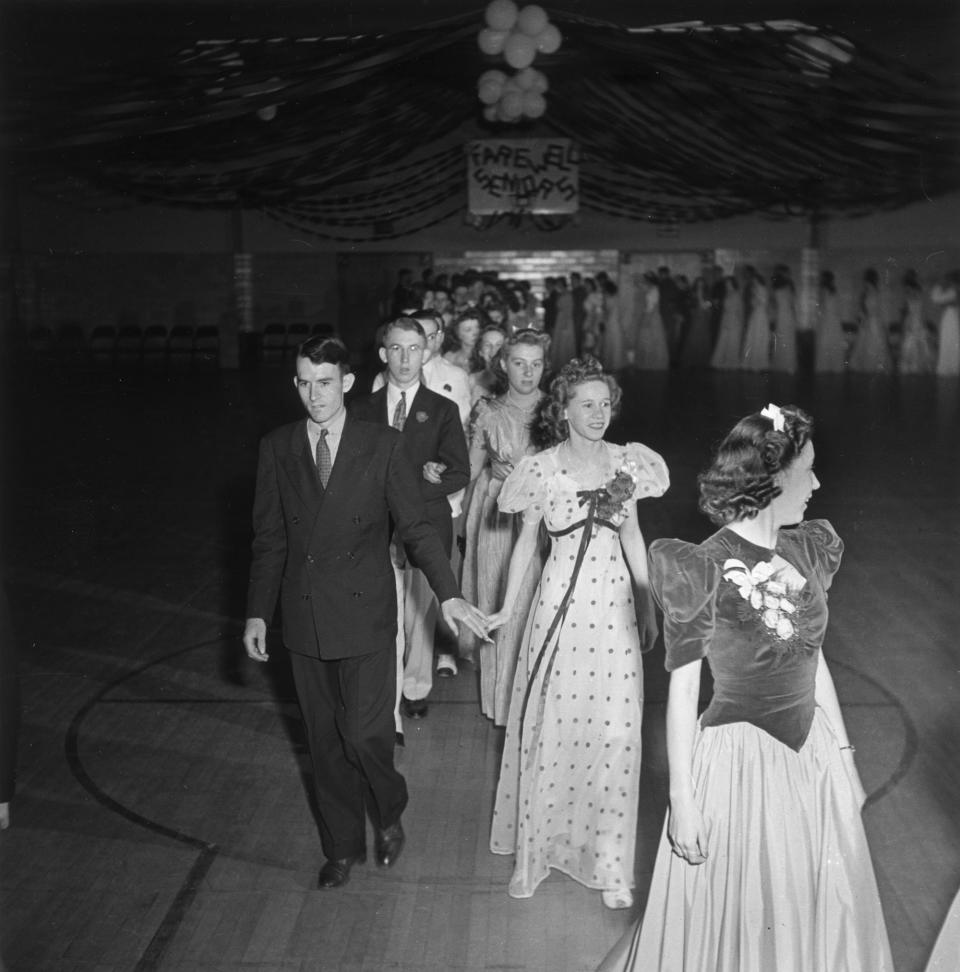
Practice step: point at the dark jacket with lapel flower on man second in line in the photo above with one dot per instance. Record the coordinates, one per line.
(432, 432)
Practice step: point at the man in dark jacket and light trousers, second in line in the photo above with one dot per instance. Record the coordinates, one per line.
(435, 444)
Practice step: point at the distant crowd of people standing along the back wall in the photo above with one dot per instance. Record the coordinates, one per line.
(748, 320)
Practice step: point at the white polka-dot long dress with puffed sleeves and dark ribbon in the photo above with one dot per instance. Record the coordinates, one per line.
(567, 793)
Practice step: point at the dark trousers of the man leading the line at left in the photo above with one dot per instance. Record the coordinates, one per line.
(347, 707)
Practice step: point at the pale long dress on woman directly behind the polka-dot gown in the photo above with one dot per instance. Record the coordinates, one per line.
(503, 430)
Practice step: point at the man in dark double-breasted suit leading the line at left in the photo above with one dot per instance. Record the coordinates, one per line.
(329, 490)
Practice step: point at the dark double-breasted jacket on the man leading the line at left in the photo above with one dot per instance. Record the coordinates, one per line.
(325, 552)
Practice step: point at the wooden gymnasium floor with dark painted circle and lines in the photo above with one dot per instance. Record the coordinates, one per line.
(161, 820)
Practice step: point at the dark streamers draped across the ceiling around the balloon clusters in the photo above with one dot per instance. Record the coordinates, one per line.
(362, 138)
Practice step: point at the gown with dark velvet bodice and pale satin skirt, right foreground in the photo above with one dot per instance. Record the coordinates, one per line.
(788, 882)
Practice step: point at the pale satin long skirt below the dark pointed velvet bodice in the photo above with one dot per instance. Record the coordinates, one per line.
(788, 883)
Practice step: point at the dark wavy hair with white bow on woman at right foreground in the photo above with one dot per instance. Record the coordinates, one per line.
(741, 480)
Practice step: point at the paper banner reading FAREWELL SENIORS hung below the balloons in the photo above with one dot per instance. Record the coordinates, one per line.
(531, 175)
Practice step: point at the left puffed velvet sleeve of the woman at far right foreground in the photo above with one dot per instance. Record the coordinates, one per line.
(684, 582)
